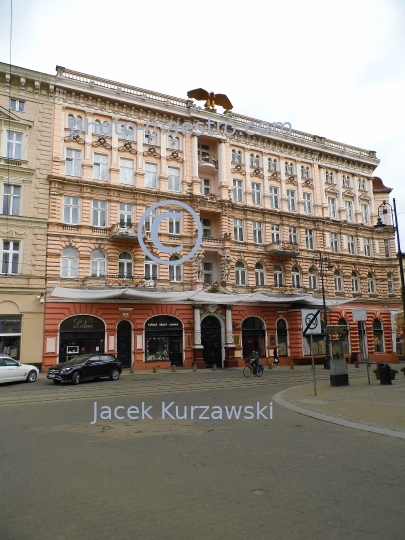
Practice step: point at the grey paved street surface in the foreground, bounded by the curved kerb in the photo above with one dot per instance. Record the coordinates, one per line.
(292, 477)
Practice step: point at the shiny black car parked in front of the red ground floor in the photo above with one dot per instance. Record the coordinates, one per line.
(86, 366)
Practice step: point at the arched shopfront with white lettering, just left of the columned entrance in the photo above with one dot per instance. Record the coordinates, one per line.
(164, 340)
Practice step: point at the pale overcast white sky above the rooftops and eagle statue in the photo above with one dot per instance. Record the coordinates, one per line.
(334, 69)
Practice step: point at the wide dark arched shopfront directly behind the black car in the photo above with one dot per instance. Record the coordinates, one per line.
(81, 334)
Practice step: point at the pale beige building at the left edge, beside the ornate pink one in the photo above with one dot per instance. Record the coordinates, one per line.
(26, 125)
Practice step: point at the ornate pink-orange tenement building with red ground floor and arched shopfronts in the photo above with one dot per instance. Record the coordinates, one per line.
(268, 204)
